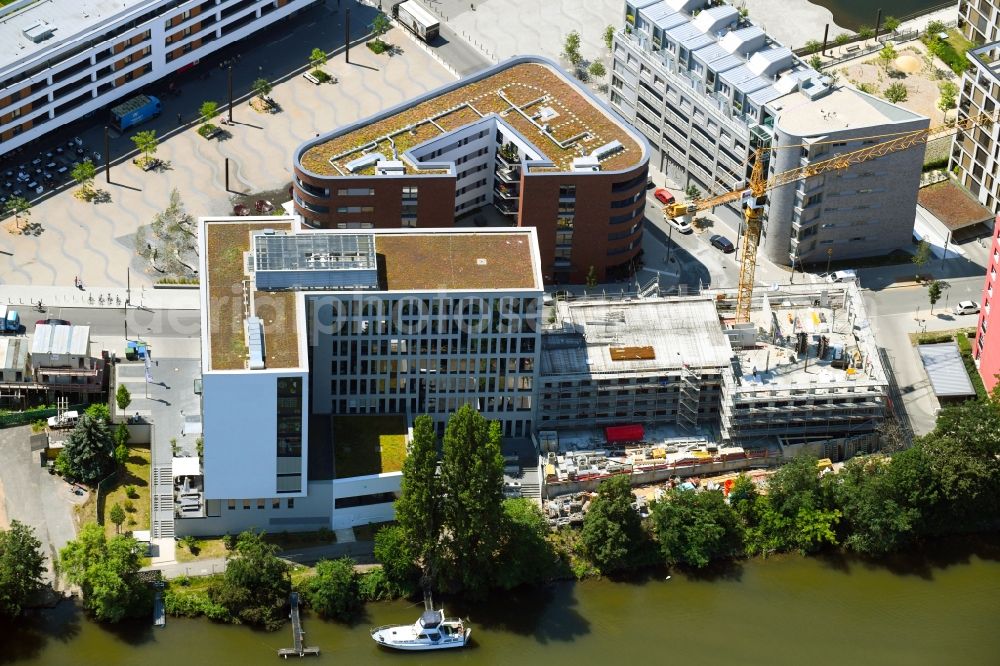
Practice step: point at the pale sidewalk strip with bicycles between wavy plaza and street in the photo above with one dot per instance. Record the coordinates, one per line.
(181, 298)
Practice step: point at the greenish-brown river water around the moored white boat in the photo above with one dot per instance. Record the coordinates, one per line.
(935, 608)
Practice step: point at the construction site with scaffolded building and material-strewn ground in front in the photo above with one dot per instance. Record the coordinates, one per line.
(666, 388)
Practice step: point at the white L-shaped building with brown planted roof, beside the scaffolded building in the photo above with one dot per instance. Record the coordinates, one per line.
(319, 347)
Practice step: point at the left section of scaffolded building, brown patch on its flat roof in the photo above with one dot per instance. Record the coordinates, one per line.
(649, 361)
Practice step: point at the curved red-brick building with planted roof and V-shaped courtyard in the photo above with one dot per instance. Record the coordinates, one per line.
(521, 137)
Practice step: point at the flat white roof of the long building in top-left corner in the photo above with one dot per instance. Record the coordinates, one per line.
(68, 18)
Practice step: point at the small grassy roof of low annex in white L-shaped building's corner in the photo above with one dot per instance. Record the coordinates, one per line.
(368, 445)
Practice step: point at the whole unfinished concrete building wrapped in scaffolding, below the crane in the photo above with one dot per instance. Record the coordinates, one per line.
(806, 367)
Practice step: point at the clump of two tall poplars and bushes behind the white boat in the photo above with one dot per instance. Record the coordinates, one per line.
(454, 529)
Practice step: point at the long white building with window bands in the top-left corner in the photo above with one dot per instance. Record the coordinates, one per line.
(62, 59)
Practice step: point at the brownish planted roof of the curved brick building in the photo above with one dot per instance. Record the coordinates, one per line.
(515, 92)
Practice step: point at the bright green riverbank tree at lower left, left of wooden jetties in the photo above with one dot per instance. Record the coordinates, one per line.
(107, 572)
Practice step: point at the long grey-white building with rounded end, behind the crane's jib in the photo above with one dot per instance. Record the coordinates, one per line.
(707, 87)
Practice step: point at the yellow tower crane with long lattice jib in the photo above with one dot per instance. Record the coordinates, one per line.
(753, 197)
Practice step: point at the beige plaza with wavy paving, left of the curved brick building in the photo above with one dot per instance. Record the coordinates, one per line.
(94, 241)
